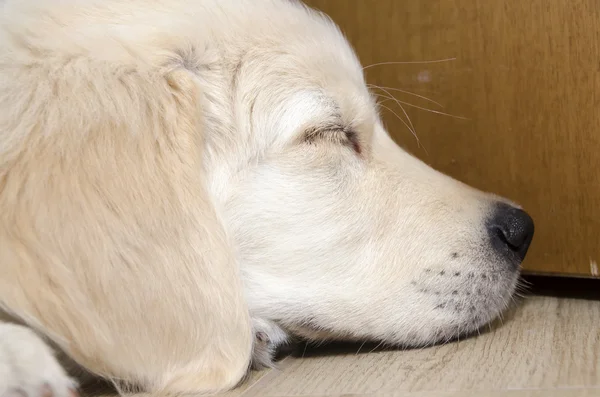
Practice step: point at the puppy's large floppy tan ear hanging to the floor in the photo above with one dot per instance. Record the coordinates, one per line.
(110, 245)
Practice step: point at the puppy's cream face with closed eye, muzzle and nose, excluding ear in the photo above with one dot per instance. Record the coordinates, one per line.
(339, 232)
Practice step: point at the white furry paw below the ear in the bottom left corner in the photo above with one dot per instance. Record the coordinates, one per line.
(28, 367)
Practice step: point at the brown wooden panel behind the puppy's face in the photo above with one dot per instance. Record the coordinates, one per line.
(527, 77)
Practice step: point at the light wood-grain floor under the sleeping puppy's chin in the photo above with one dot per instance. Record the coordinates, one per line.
(547, 347)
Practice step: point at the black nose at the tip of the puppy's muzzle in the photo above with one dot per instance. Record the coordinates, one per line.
(511, 231)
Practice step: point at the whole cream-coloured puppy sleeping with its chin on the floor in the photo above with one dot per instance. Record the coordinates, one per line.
(186, 184)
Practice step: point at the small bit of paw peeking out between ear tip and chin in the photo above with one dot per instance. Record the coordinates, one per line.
(268, 336)
